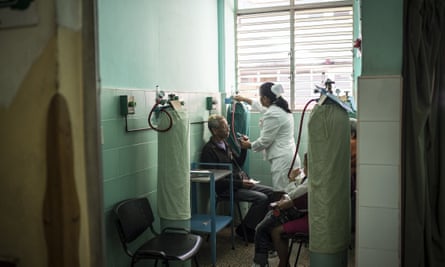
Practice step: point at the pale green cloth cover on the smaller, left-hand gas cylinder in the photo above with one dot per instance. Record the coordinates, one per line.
(174, 166)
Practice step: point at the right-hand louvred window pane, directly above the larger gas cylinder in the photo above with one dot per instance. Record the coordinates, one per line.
(323, 49)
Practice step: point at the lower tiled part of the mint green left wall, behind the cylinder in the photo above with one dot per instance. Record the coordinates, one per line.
(130, 158)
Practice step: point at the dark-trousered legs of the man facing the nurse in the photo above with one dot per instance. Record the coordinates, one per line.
(258, 196)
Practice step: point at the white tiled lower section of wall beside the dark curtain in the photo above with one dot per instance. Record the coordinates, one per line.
(378, 231)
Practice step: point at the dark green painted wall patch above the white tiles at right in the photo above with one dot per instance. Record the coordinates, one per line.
(382, 31)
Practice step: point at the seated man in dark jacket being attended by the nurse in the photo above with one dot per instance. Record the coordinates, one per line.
(217, 150)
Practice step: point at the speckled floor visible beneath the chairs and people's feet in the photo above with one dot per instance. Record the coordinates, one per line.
(242, 255)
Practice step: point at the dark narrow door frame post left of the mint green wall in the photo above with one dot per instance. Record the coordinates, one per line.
(92, 133)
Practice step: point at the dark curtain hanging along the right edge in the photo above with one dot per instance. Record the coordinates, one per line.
(423, 209)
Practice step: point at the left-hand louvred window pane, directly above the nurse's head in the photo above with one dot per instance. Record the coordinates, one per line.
(263, 45)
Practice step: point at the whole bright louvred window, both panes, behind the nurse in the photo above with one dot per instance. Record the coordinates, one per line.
(298, 43)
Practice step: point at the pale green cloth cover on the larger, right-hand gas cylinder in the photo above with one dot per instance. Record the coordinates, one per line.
(329, 185)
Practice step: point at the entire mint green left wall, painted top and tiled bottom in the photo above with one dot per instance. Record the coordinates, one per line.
(141, 44)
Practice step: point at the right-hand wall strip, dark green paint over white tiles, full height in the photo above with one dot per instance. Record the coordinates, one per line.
(382, 44)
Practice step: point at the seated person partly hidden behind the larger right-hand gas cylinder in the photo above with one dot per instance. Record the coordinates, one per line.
(288, 215)
